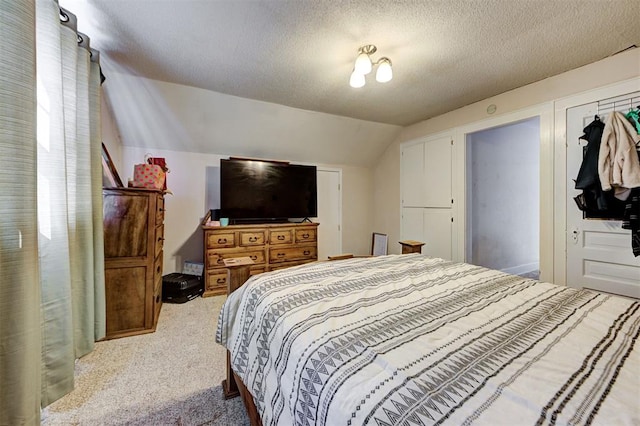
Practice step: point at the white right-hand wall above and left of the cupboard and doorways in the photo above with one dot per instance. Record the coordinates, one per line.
(617, 68)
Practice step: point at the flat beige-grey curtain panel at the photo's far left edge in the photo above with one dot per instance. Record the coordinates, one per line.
(19, 285)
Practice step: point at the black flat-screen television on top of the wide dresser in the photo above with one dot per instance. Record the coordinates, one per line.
(261, 190)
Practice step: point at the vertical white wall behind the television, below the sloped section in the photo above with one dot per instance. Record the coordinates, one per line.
(186, 207)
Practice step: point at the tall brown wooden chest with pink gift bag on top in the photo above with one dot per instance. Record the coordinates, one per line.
(133, 240)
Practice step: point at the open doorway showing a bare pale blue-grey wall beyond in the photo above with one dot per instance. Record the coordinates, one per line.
(503, 197)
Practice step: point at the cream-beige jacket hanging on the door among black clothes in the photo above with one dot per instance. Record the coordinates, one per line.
(618, 164)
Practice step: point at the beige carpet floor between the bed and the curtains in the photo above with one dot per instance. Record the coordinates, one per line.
(170, 377)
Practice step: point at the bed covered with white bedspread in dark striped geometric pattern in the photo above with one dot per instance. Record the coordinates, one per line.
(414, 340)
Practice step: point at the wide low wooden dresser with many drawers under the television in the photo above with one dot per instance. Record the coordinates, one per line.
(270, 246)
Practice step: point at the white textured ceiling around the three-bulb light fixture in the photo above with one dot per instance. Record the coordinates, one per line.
(300, 53)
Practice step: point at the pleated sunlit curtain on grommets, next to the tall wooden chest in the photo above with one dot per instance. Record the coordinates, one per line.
(69, 146)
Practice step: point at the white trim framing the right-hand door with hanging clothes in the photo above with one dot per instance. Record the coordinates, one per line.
(560, 167)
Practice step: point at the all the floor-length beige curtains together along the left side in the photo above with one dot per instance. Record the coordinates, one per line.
(51, 248)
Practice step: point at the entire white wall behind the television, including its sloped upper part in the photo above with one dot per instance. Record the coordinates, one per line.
(193, 128)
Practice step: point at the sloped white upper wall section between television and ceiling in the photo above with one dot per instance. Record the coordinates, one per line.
(161, 115)
